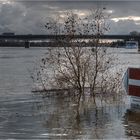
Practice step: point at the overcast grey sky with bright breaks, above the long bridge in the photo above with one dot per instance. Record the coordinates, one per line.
(30, 16)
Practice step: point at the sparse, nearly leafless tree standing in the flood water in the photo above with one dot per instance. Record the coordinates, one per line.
(73, 66)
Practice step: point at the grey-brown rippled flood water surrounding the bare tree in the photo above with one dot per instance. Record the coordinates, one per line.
(24, 115)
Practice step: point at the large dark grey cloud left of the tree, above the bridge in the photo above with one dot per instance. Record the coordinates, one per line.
(20, 19)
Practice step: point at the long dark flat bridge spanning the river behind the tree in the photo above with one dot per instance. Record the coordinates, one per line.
(28, 38)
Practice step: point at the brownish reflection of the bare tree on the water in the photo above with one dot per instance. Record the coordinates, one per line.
(64, 119)
